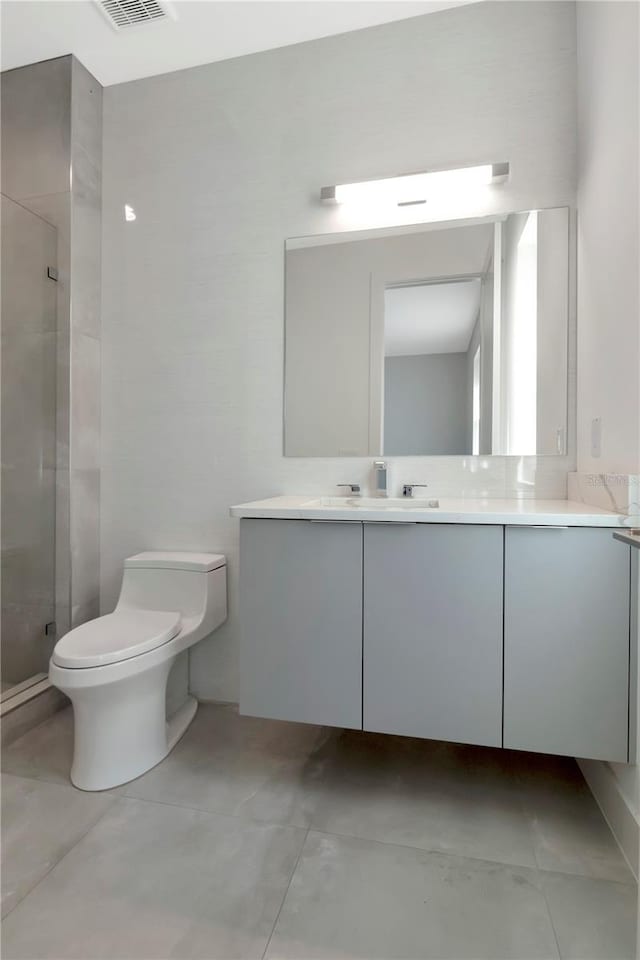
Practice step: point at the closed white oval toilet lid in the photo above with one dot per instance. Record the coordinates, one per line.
(117, 636)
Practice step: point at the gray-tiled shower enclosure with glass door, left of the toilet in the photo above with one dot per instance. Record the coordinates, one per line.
(51, 182)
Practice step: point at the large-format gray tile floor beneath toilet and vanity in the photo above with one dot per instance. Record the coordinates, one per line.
(263, 839)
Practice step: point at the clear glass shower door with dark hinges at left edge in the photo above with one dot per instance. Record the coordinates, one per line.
(28, 444)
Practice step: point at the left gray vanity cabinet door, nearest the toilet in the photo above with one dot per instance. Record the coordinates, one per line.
(301, 621)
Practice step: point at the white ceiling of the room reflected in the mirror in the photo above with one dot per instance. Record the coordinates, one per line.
(432, 318)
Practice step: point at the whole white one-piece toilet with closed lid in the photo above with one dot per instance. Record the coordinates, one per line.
(114, 669)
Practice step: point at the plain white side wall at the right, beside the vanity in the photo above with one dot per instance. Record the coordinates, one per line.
(608, 294)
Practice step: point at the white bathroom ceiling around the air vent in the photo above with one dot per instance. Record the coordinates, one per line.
(202, 32)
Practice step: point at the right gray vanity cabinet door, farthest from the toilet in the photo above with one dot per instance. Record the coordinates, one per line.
(566, 642)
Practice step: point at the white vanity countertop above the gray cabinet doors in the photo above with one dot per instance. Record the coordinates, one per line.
(555, 513)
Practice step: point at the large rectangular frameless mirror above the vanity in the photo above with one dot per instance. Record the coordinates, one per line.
(434, 339)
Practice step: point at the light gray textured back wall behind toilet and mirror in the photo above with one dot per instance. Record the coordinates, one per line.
(222, 163)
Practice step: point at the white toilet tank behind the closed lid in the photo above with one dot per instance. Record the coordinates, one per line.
(194, 584)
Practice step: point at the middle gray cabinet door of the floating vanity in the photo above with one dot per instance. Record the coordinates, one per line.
(433, 631)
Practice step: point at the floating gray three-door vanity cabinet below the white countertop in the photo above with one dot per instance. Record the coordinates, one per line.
(514, 636)
